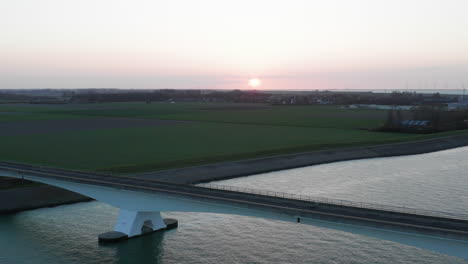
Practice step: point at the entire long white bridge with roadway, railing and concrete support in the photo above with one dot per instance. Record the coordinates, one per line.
(141, 200)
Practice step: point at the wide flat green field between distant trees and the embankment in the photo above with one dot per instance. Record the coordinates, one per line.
(128, 138)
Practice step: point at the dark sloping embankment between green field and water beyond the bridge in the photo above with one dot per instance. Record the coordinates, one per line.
(248, 167)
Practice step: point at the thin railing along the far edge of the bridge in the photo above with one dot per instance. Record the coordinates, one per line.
(364, 205)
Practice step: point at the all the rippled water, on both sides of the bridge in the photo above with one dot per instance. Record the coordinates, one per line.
(68, 234)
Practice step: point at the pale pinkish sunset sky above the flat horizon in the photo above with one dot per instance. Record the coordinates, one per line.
(221, 44)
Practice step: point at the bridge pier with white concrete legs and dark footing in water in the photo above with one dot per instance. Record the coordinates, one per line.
(135, 223)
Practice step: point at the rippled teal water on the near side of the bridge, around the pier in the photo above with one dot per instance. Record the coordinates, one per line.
(68, 234)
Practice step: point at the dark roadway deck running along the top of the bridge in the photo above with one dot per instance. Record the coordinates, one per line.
(427, 224)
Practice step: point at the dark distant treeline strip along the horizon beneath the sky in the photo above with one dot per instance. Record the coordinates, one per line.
(236, 96)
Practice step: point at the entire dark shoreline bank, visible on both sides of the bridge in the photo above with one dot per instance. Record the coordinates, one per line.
(34, 197)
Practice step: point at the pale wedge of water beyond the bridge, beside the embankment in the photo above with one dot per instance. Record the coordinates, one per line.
(434, 181)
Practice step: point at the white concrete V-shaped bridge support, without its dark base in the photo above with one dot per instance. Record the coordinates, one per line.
(132, 222)
